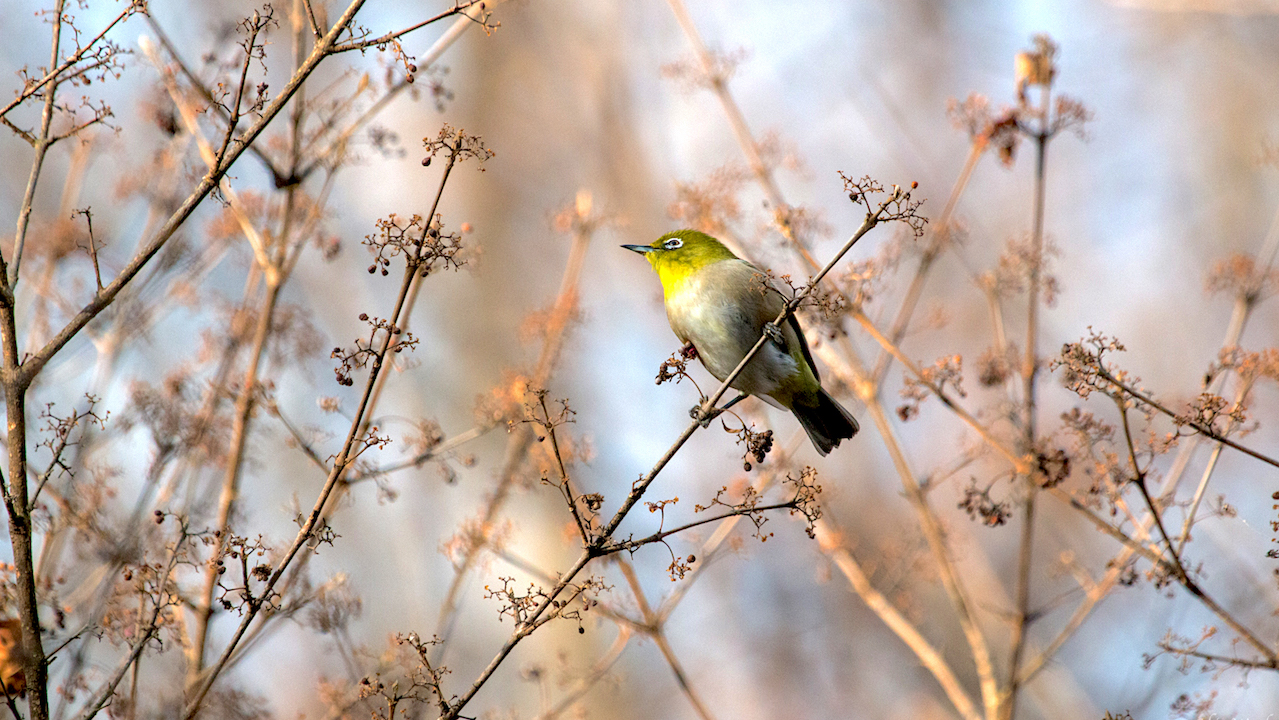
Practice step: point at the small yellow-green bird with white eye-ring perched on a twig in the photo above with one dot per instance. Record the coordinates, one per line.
(719, 305)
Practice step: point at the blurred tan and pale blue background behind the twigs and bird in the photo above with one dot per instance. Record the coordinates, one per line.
(572, 98)
